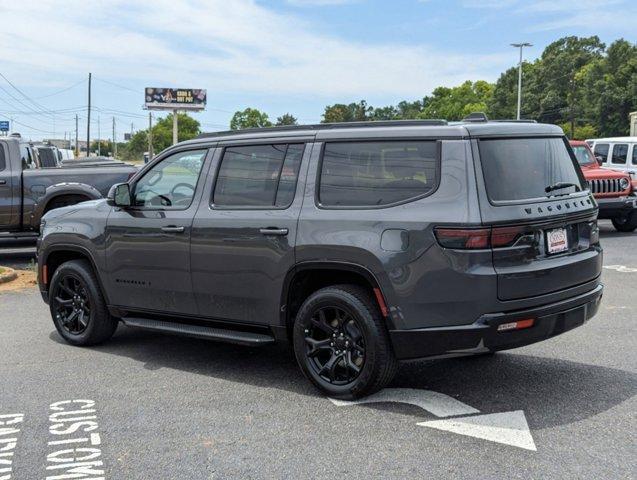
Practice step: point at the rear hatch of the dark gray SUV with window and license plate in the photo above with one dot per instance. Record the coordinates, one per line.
(544, 231)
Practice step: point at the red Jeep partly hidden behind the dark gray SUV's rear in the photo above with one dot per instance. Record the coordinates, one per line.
(612, 189)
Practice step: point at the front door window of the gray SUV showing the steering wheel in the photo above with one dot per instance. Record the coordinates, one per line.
(171, 183)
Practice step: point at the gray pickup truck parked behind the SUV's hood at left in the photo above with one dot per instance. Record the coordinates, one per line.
(27, 193)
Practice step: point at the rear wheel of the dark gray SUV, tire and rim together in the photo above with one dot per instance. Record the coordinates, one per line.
(365, 344)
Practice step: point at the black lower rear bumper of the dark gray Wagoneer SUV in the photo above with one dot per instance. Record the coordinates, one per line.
(483, 336)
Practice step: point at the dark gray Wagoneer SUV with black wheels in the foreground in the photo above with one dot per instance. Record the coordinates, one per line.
(359, 244)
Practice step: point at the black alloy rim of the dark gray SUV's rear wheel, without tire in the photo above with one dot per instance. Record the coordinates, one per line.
(335, 346)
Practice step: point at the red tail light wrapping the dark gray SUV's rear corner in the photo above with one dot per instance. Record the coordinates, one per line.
(477, 238)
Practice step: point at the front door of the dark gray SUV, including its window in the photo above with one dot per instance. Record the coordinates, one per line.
(148, 244)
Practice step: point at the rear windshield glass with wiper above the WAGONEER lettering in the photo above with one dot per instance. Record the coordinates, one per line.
(523, 168)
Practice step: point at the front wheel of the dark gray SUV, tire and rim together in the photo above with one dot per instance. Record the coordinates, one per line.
(75, 282)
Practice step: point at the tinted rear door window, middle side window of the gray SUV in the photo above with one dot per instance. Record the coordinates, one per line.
(258, 176)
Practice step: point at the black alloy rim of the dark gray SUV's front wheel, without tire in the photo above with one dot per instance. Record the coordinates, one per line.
(72, 304)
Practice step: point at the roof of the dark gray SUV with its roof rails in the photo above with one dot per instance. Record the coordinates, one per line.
(388, 129)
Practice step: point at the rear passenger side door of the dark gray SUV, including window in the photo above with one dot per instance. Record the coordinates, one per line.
(244, 233)
